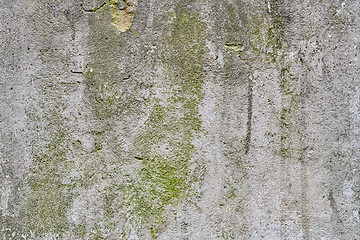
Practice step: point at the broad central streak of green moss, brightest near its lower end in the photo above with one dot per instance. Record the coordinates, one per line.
(166, 143)
